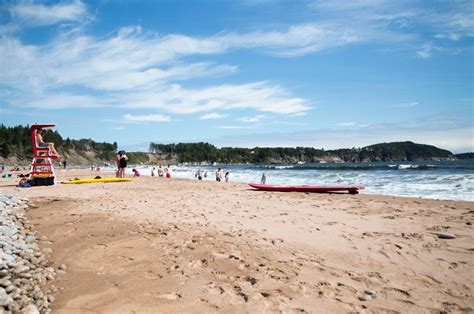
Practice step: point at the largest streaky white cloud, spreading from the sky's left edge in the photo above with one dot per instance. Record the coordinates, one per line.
(132, 69)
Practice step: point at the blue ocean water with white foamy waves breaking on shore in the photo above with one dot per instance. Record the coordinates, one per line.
(448, 180)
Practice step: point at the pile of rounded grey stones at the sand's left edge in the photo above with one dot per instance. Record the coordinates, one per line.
(24, 268)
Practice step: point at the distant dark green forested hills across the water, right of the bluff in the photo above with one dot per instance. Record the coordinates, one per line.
(397, 151)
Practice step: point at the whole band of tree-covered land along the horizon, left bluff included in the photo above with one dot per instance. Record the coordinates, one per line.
(15, 148)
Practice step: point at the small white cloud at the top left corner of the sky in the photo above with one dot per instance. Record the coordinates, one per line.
(40, 14)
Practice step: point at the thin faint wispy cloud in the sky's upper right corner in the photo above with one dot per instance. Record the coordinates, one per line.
(423, 28)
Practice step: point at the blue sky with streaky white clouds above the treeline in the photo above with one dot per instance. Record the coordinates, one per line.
(328, 74)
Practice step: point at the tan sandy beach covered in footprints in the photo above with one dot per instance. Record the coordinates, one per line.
(158, 246)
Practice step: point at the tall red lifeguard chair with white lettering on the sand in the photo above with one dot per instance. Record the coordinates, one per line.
(42, 168)
